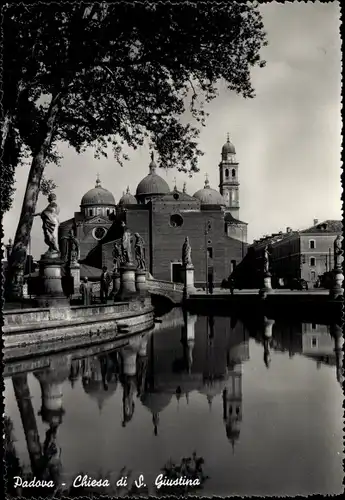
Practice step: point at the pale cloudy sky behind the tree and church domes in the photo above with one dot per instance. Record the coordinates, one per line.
(287, 139)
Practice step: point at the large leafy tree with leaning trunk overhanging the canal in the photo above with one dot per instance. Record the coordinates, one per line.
(115, 74)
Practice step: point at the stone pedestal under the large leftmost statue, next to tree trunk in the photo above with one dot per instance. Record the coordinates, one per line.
(51, 293)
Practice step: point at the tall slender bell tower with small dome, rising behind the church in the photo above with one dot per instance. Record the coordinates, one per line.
(228, 179)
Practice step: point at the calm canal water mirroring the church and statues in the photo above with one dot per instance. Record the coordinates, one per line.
(258, 402)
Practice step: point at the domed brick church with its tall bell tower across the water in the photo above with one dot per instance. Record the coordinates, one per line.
(164, 217)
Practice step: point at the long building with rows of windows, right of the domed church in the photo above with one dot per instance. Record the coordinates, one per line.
(306, 254)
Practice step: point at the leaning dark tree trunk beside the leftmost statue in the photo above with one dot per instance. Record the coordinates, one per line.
(16, 267)
